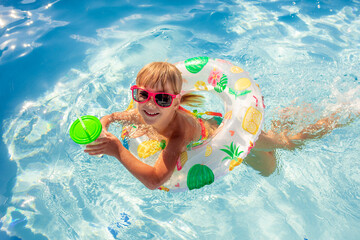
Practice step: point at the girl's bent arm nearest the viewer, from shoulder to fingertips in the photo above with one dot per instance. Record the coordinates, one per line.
(151, 176)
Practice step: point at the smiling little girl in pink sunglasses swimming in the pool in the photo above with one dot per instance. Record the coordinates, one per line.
(160, 116)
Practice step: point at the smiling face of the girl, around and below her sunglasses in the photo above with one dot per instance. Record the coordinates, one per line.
(152, 113)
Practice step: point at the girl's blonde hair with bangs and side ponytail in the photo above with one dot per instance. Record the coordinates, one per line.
(162, 72)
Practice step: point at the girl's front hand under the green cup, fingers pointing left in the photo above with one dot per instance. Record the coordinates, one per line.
(107, 144)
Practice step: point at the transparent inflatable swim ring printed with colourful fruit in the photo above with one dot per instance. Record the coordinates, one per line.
(235, 137)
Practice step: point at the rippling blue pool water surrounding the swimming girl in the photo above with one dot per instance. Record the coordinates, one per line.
(62, 57)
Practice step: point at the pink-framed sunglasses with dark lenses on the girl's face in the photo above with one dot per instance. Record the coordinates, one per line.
(161, 99)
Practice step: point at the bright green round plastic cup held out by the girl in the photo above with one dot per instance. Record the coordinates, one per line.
(88, 135)
